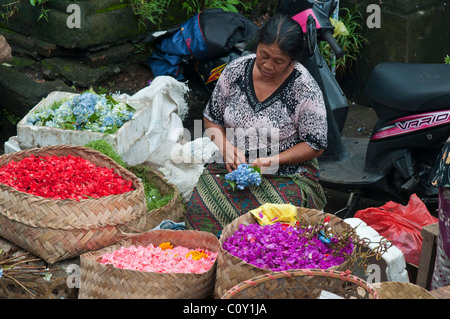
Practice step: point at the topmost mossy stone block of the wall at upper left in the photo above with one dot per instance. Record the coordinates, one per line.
(102, 22)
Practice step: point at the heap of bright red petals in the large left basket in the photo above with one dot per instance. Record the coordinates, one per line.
(62, 178)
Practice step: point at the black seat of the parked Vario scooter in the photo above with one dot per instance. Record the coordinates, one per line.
(397, 88)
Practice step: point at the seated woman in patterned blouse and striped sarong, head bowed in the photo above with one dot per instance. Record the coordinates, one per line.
(266, 110)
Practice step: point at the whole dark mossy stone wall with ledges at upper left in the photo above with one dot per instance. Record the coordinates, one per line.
(65, 54)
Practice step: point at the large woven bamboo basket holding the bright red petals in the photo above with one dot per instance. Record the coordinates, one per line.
(55, 230)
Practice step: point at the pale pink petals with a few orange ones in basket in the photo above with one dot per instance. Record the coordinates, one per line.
(164, 258)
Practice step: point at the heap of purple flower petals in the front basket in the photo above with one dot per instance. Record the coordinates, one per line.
(279, 247)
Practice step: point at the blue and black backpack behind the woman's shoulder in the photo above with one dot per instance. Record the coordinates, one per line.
(210, 34)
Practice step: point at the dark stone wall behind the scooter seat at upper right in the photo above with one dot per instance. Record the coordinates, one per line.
(412, 31)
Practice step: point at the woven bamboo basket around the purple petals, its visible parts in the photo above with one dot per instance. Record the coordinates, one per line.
(232, 270)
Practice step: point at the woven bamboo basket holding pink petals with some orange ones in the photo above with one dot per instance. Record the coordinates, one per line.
(100, 281)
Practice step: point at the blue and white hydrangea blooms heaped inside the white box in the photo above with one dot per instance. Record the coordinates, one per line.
(87, 111)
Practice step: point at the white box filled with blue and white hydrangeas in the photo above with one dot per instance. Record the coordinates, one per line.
(77, 119)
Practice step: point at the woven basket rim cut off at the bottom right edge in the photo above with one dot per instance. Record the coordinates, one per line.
(401, 290)
